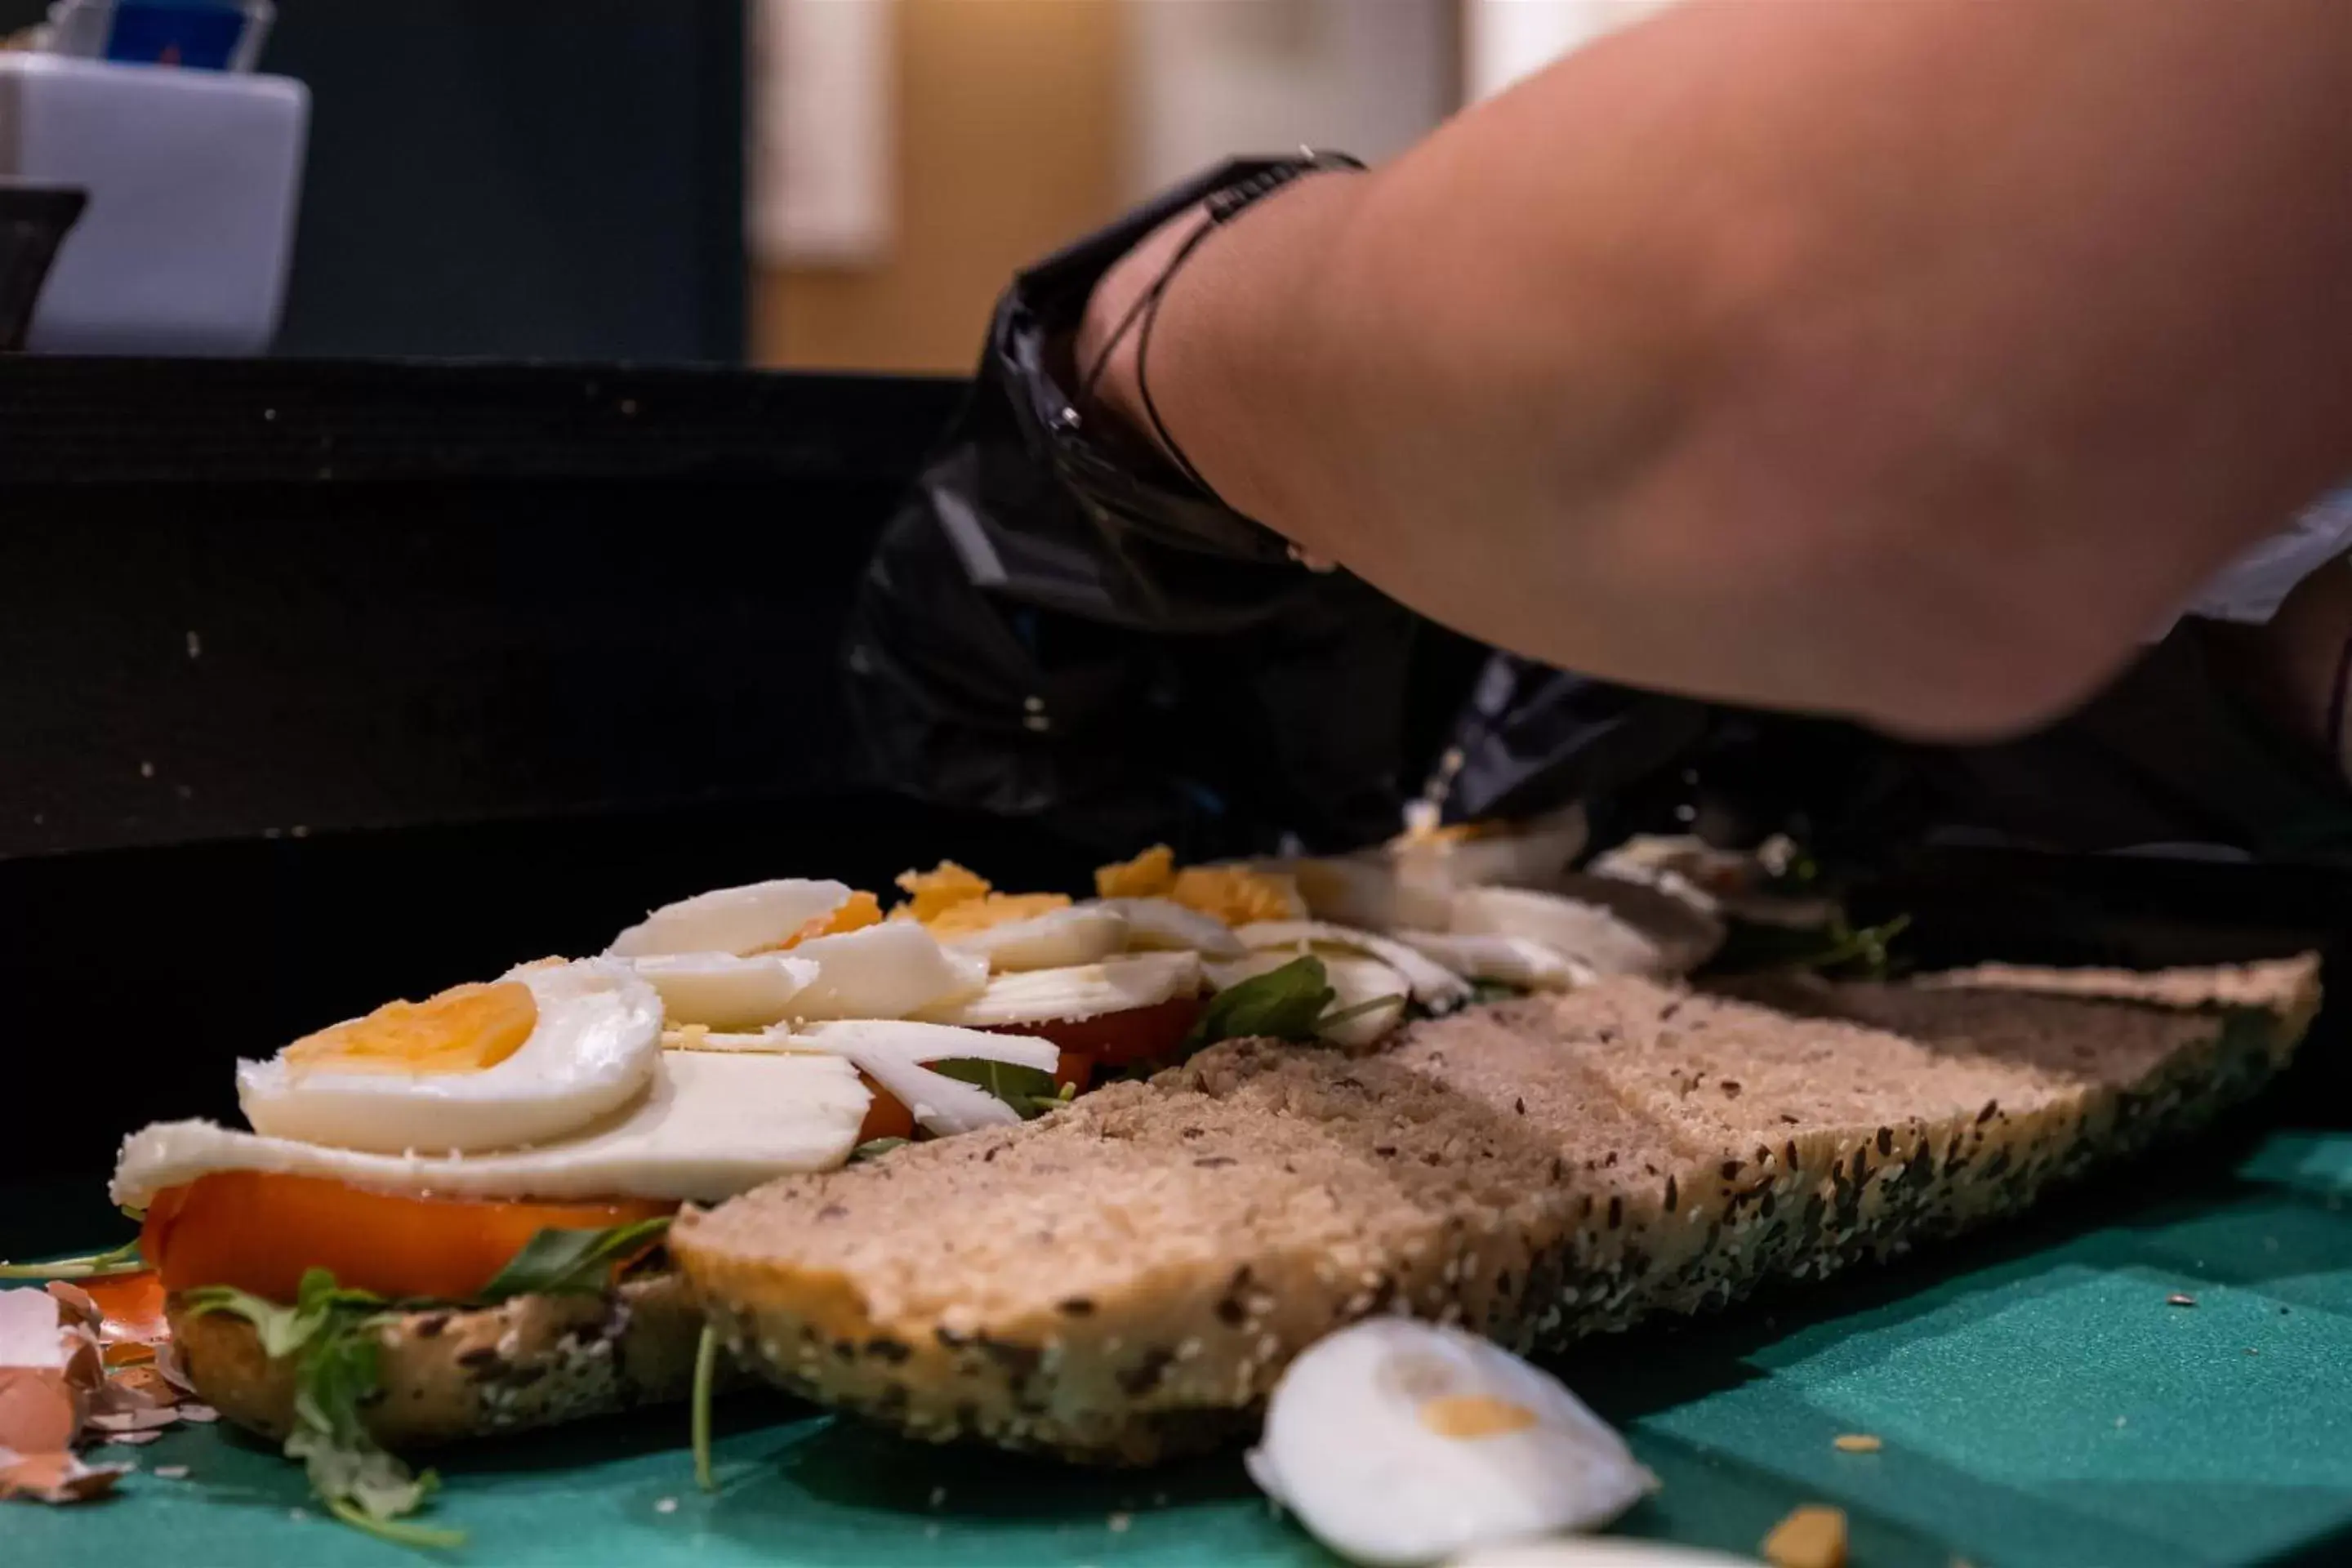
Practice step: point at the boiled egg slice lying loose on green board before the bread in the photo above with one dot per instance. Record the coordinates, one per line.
(1403, 1445)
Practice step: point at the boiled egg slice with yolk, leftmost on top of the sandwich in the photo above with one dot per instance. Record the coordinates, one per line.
(544, 1052)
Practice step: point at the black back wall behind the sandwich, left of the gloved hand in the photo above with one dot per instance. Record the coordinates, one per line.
(323, 685)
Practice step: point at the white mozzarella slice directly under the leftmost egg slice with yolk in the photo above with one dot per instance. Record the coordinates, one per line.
(707, 1130)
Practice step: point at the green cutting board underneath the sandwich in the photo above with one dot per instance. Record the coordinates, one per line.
(2038, 1395)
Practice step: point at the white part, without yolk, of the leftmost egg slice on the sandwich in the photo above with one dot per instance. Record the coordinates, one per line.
(589, 1054)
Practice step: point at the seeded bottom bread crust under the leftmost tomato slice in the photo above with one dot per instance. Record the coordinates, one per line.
(530, 1362)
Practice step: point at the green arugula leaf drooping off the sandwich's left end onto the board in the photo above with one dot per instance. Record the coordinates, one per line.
(335, 1339)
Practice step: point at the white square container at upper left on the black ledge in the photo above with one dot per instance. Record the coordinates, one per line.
(194, 182)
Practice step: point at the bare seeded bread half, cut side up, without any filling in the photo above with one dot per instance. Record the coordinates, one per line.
(1125, 1280)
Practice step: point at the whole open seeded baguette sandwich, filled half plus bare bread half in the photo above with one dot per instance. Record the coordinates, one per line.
(1085, 1177)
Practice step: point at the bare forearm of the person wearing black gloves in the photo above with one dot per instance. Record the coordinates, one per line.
(1887, 361)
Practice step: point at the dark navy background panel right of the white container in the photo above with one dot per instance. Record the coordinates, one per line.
(526, 180)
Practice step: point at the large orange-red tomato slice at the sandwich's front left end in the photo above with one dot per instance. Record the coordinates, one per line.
(258, 1231)
